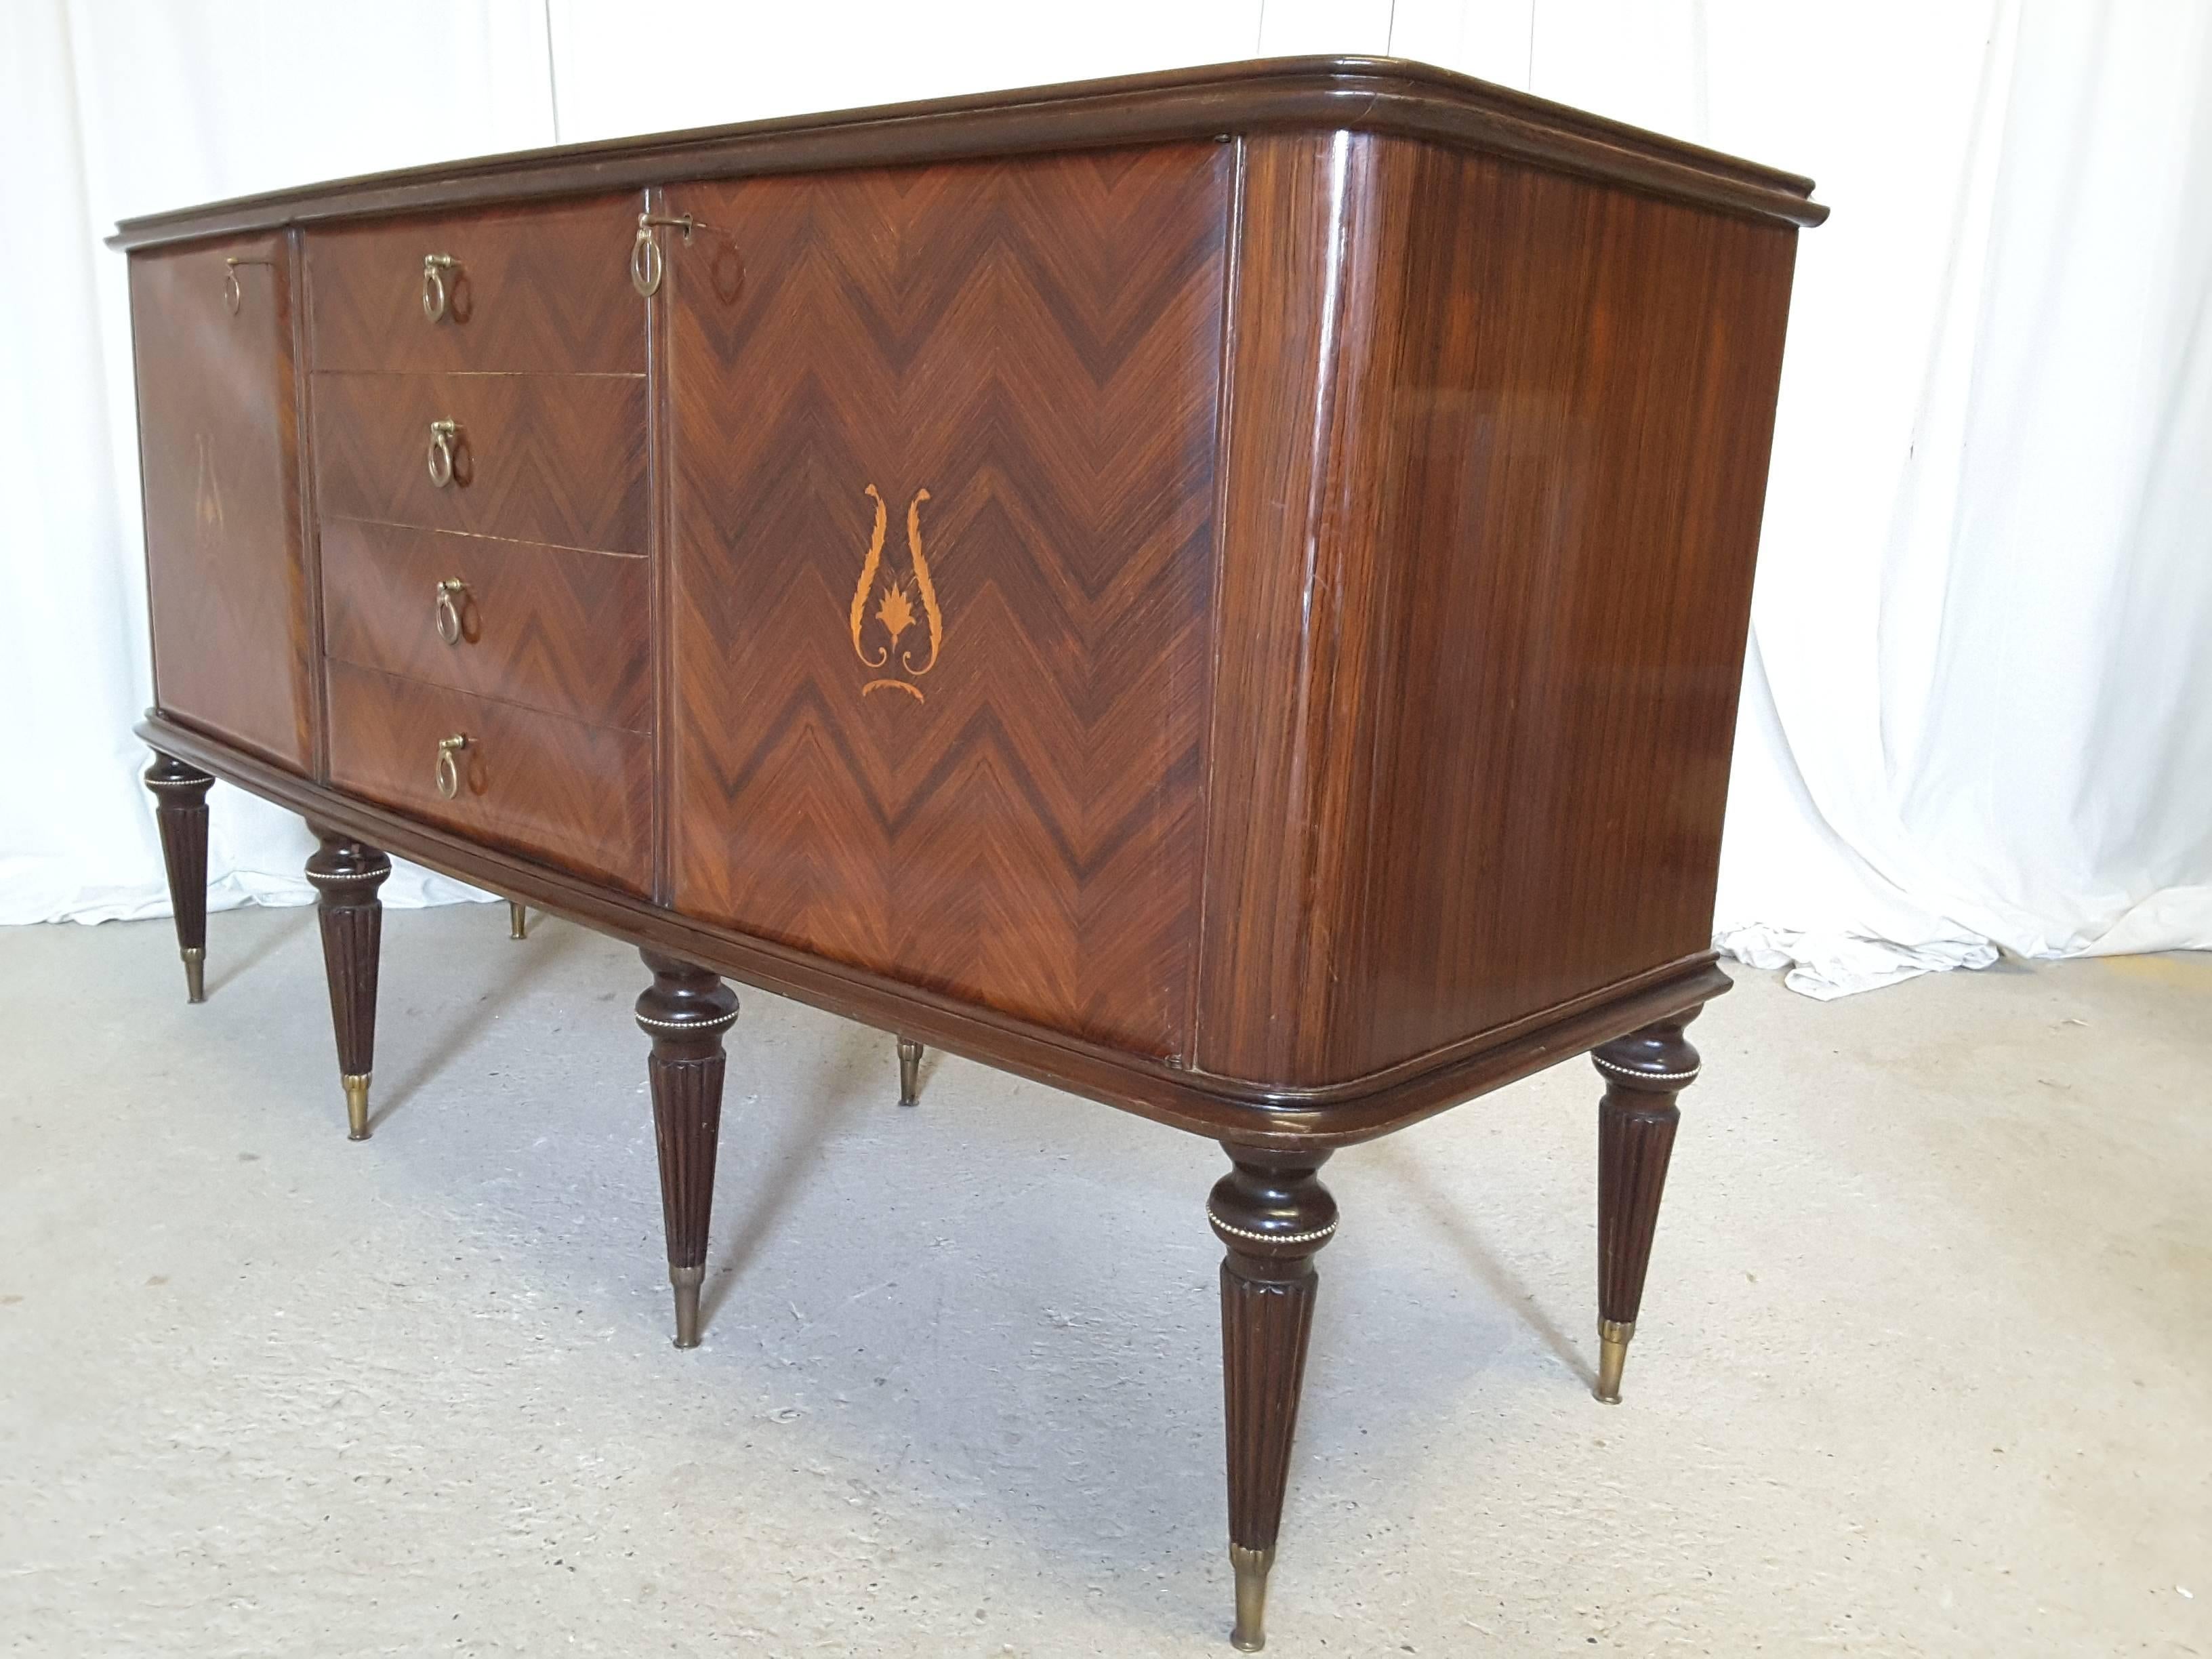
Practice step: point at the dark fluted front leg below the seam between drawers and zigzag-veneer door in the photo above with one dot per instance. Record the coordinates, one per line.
(685, 1012)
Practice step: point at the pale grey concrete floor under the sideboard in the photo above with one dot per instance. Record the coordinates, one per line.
(1926, 1359)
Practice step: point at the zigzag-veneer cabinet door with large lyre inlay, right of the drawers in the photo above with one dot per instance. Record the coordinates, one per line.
(943, 472)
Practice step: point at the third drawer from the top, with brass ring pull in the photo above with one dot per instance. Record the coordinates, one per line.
(543, 627)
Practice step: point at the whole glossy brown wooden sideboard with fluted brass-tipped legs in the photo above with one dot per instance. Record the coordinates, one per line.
(1218, 592)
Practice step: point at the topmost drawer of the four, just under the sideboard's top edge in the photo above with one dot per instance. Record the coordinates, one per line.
(530, 289)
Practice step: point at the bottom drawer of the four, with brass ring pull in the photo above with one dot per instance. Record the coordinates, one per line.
(552, 789)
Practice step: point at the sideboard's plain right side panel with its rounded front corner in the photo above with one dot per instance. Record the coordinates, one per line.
(1534, 523)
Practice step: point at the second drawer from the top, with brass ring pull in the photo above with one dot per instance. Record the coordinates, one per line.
(534, 457)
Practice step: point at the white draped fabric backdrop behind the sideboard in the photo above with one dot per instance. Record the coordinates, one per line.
(1974, 716)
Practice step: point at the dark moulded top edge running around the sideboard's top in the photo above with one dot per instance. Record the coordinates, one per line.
(1355, 94)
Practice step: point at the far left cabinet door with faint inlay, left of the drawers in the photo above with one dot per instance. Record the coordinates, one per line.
(220, 461)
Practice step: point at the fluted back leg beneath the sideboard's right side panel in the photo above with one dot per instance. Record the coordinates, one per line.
(1636, 1134)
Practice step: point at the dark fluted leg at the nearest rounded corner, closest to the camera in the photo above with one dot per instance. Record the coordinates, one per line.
(1273, 1215)
